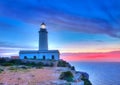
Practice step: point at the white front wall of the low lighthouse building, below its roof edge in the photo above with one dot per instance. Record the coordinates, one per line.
(40, 56)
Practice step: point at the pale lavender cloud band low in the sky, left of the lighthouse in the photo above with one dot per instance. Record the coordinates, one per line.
(10, 49)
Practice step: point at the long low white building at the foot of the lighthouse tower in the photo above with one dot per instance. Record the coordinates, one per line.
(44, 55)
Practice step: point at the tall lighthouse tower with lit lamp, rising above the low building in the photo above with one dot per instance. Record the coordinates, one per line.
(43, 37)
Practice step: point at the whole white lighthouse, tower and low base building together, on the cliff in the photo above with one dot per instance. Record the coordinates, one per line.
(43, 52)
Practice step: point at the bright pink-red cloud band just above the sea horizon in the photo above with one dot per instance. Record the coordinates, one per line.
(106, 56)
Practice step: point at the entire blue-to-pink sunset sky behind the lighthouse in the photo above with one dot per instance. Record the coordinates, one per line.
(82, 30)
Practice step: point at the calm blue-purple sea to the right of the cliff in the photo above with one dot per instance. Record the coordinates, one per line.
(100, 73)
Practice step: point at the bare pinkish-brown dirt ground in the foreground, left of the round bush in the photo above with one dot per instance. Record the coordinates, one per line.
(29, 76)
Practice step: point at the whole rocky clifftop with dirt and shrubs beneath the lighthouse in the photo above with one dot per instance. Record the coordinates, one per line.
(29, 72)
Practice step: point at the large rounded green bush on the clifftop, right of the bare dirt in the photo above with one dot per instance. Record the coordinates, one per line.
(68, 76)
